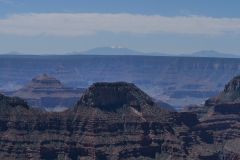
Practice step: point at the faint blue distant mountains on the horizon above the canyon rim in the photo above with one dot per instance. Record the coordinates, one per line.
(127, 51)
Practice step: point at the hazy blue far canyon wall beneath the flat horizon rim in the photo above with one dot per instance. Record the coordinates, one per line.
(179, 81)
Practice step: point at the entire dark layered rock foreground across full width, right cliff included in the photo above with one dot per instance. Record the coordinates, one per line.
(120, 121)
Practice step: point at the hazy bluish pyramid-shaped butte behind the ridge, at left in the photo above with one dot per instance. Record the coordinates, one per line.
(48, 93)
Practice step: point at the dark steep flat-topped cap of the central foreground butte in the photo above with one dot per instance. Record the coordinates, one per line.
(111, 96)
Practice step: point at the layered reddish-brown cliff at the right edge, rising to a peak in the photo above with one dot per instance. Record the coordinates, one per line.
(220, 118)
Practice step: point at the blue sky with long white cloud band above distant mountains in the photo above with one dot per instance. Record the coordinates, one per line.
(166, 26)
